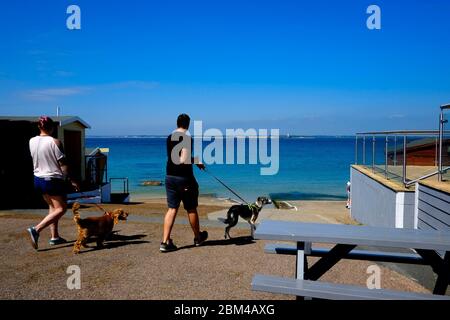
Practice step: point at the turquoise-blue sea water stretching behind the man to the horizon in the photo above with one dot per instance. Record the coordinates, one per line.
(310, 168)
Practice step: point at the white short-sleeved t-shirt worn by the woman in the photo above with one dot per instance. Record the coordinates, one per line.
(46, 154)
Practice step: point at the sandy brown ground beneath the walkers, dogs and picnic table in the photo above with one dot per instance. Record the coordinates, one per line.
(131, 266)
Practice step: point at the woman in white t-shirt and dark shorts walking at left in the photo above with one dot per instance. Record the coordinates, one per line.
(50, 175)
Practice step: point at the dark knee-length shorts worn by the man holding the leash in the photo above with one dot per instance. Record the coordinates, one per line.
(182, 189)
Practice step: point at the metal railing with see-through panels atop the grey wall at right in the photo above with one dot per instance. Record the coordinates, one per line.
(408, 155)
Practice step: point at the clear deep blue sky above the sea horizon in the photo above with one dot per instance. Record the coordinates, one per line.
(306, 67)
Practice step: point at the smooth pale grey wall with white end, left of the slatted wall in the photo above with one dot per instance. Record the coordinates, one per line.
(375, 204)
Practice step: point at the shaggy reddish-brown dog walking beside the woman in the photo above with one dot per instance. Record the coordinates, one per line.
(100, 227)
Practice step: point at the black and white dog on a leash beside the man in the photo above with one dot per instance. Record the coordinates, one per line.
(248, 212)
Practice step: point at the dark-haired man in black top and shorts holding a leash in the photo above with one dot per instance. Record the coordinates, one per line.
(181, 185)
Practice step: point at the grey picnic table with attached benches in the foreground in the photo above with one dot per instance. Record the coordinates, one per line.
(425, 246)
